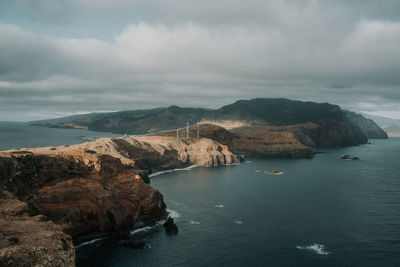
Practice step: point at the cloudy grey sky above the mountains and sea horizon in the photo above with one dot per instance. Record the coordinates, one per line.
(60, 58)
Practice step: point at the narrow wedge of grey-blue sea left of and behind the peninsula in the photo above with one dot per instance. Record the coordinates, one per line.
(20, 134)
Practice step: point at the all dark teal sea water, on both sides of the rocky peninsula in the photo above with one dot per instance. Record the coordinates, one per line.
(324, 211)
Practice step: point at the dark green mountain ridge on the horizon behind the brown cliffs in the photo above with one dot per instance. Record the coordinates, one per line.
(317, 123)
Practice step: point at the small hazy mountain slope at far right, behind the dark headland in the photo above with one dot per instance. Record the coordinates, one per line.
(368, 126)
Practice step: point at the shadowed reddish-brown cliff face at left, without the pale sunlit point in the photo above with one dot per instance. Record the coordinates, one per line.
(81, 192)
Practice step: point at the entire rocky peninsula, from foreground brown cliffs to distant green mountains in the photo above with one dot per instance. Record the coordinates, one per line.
(68, 191)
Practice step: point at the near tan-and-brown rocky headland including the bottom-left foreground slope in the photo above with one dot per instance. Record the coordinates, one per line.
(67, 191)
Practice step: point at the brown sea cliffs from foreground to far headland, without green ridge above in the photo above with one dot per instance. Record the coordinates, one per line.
(103, 186)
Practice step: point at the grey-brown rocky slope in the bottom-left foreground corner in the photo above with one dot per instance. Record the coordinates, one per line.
(31, 241)
